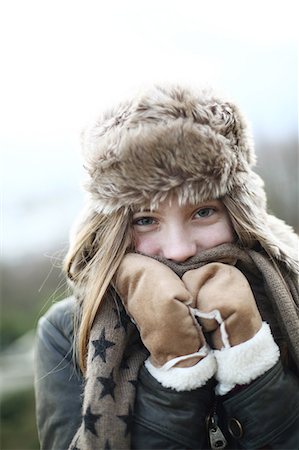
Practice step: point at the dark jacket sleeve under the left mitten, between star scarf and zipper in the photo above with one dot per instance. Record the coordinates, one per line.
(165, 418)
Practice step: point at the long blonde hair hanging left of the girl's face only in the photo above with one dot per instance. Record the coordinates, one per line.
(90, 264)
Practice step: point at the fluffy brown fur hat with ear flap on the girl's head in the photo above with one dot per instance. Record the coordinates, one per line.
(174, 140)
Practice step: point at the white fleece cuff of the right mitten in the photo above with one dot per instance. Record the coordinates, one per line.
(245, 362)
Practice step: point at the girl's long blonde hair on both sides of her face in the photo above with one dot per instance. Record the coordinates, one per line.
(100, 244)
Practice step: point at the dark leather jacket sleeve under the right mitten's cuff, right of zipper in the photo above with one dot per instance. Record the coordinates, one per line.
(266, 413)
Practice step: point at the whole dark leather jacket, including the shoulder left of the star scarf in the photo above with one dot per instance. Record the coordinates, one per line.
(264, 414)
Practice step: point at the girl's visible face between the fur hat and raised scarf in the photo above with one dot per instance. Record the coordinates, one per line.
(180, 232)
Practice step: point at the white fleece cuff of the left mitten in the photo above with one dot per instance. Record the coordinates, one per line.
(184, 378)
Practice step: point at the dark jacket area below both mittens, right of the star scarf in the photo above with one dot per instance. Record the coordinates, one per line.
(166, 419)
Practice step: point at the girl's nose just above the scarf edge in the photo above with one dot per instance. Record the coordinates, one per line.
(179, 247)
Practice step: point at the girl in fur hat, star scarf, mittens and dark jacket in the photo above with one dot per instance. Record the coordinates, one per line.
(185, 310)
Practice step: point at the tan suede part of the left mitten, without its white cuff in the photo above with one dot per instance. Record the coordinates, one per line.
(156, 299)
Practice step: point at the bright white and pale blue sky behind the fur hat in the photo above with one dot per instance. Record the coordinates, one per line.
(64, 61)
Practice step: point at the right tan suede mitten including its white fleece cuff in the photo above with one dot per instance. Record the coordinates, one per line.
(226, 308)
